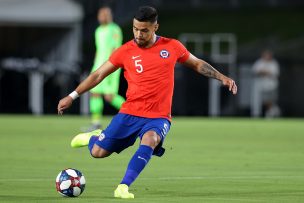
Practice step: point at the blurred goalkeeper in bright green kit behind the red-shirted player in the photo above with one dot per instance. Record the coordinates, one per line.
(108, 37)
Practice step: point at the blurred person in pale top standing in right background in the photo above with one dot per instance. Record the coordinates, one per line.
(266, 71)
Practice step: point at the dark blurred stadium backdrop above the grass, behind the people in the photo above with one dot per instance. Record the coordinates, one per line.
(47, 47)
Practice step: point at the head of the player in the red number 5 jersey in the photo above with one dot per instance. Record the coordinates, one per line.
(145, 25)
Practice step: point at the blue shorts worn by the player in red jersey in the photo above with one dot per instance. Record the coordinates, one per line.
(124, 129)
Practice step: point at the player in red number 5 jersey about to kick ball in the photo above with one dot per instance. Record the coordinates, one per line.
(148, 61)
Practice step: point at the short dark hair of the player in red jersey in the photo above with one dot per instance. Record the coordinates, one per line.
(146, 14)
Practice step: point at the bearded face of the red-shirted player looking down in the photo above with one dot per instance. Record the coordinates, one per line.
(144, 32)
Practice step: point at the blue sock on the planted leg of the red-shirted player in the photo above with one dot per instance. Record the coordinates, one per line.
(138, 162)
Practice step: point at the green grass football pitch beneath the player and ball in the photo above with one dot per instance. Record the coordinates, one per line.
(206, 160)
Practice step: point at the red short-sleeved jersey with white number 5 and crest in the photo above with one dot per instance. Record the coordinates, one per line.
(150, 76)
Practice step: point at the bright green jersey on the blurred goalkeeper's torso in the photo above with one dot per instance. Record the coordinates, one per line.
(107, 38)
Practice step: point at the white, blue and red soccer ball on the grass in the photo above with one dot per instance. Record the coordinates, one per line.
(70, 182)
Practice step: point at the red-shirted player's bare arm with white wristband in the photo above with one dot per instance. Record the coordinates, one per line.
(91, 81)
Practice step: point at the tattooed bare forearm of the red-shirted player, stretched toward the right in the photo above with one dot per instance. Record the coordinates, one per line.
(204, 68)
